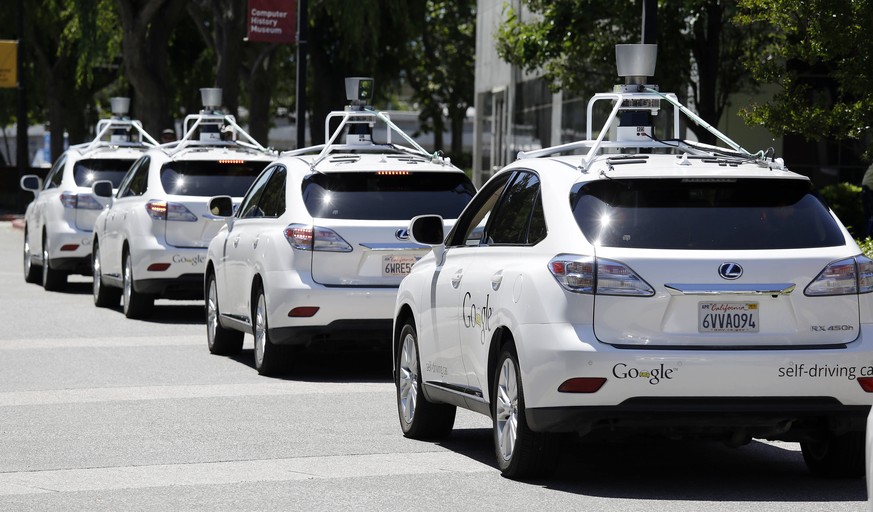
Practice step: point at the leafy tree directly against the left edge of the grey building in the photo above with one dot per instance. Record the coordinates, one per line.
(440, 69)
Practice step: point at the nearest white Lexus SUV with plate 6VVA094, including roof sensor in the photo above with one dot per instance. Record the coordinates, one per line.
(645, 284)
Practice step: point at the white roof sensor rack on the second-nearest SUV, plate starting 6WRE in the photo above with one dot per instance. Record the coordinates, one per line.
(357, 122)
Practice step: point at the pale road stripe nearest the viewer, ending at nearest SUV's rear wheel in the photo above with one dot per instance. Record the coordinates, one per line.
(223, 473)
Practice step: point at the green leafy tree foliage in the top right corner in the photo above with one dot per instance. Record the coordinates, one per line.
(820, 54)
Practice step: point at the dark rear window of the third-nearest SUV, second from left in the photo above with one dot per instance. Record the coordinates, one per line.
(210, 178)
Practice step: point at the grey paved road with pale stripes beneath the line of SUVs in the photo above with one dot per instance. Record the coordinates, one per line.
(98, 412)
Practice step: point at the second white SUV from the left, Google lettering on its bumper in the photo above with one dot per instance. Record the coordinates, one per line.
(151, 241)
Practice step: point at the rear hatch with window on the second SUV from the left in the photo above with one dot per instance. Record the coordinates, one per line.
(189, 185)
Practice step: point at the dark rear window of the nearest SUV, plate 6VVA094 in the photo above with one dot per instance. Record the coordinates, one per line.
(703, 214)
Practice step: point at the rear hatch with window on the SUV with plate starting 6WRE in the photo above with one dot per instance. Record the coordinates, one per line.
(370, 213)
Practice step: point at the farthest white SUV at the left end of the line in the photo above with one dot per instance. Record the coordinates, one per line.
(58, 223)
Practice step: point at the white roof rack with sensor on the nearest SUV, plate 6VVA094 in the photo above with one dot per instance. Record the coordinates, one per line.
(634, 103)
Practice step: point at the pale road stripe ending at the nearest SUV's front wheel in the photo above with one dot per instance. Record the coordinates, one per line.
(90, 395)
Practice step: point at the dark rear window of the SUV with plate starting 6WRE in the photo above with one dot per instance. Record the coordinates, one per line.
(386, 195)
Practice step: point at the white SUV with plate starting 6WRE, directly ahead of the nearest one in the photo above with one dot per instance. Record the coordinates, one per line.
(318, 246)
